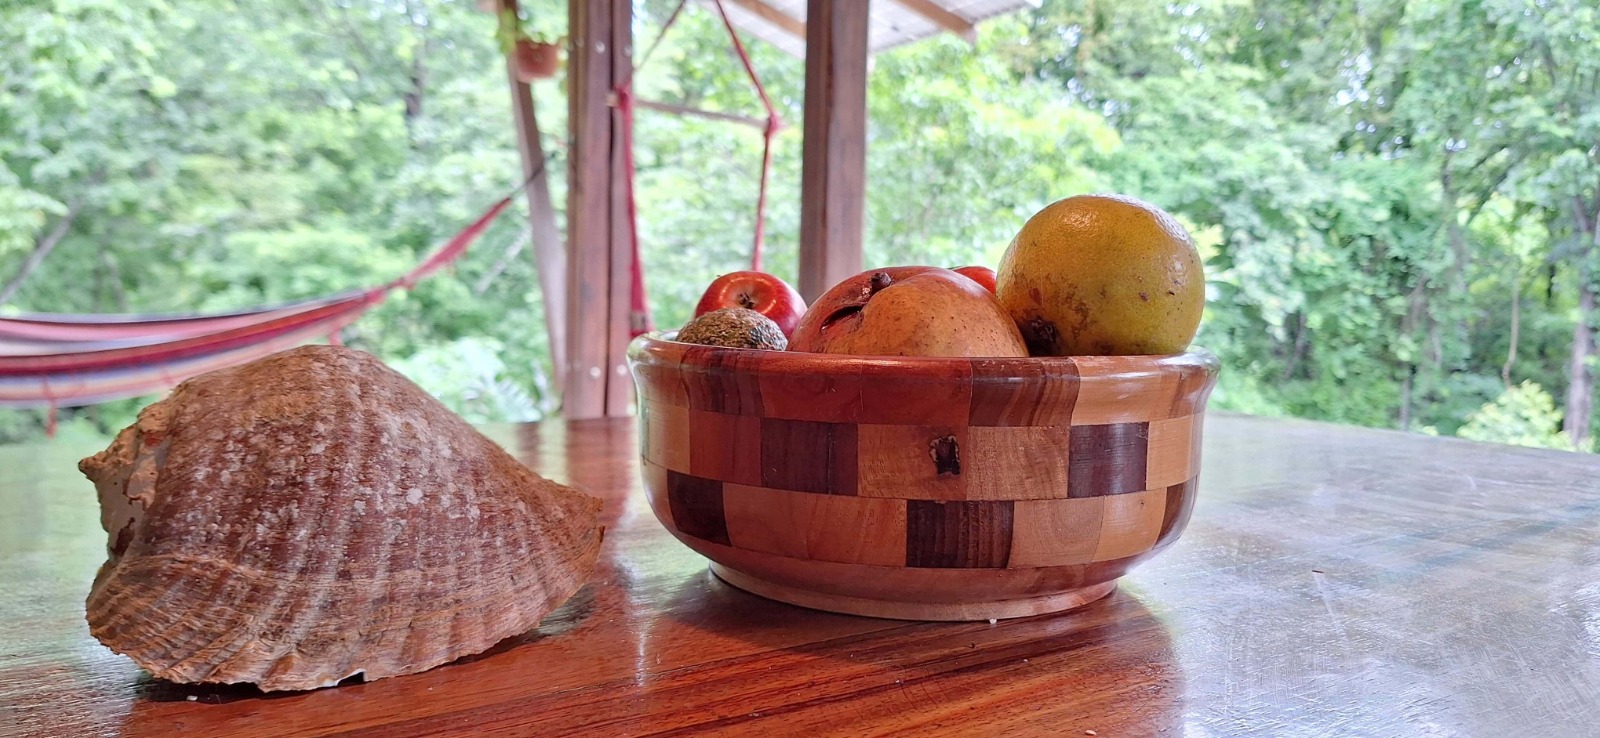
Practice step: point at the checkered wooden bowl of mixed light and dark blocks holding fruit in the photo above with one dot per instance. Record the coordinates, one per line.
(921, 489)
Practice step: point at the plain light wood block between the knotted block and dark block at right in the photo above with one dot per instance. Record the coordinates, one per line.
(1018, 463)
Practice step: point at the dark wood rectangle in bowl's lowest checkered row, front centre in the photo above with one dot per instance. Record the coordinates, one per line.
(958, 535)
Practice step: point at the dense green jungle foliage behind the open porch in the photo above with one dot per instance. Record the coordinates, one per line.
(1398, 201)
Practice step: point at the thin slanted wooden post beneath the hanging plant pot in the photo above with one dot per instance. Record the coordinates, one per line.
(548, 249)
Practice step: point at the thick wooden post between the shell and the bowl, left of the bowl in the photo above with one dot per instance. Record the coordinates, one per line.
(601, 257)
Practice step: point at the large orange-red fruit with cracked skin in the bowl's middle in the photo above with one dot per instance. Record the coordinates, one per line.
(910, 311)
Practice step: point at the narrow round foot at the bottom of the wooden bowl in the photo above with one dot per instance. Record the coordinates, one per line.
(916, 611)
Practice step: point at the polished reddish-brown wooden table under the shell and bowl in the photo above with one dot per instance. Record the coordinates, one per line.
(1334, 582)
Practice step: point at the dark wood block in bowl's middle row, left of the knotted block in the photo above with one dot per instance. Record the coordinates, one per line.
(809, 457)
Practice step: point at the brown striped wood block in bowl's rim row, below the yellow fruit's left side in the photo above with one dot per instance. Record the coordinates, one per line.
(1039, 393)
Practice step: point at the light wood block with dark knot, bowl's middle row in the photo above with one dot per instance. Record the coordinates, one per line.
(913, 462)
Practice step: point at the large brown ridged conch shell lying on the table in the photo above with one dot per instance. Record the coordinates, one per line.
(314, 516)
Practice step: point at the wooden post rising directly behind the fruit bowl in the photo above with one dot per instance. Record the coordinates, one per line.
(834, 172)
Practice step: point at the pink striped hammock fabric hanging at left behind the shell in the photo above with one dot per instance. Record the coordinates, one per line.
(70, 361)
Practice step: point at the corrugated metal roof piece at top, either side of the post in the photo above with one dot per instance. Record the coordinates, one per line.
(782, 23)
